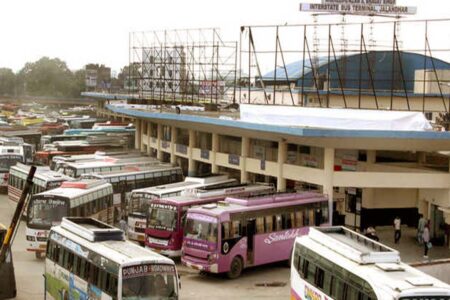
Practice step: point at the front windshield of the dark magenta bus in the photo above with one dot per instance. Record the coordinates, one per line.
(162, 216)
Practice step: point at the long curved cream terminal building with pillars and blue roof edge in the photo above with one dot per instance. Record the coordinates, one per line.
(371, 176)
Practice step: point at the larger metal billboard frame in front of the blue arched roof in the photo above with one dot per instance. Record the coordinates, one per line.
(266, 73)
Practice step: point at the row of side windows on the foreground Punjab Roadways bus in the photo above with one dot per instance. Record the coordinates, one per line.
(83, 268)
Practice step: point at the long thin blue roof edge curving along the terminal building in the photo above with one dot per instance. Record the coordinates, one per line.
(285, 130)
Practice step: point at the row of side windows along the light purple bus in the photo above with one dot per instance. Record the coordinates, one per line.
(277, 220)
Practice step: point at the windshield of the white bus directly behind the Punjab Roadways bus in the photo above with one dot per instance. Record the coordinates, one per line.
(46, 212)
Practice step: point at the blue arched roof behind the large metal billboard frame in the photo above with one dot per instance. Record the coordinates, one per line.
(388, 69)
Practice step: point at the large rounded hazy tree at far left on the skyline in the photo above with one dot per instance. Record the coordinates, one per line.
(49, 77)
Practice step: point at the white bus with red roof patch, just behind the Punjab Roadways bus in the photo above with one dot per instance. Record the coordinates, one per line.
(88, 198)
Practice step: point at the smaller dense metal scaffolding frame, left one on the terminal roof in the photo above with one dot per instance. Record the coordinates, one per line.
(183, 66)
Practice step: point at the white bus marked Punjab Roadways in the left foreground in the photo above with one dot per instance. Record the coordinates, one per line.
(87, 259)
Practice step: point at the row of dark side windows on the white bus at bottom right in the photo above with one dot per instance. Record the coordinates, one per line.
(334, 281)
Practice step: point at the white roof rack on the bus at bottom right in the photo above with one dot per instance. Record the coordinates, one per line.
(353, 245)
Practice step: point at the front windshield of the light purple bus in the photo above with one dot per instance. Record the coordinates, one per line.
(200, 227)
